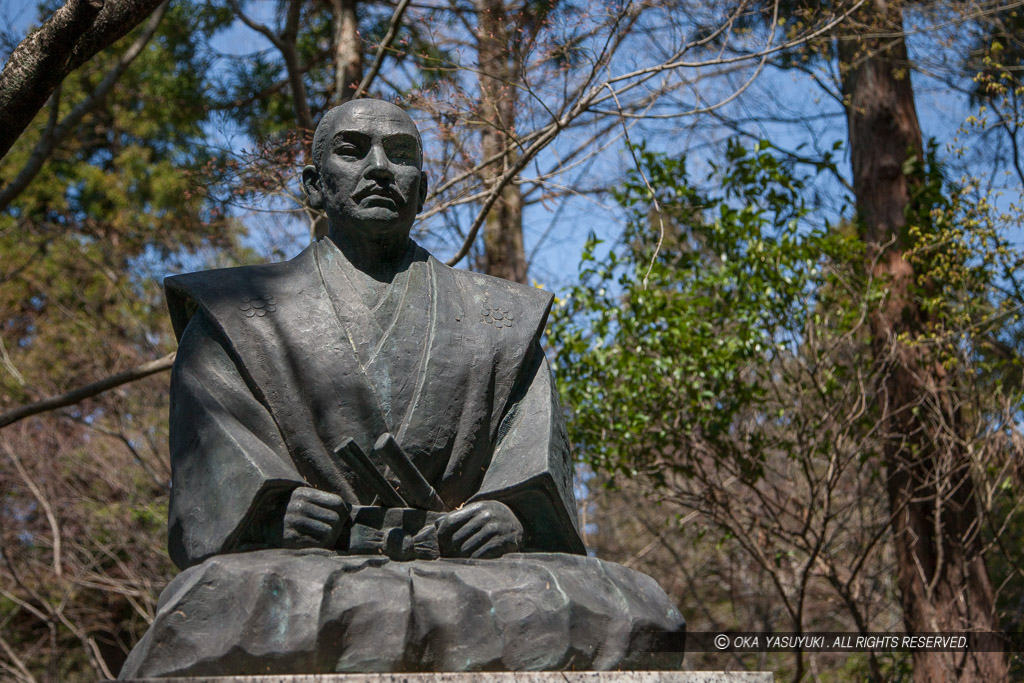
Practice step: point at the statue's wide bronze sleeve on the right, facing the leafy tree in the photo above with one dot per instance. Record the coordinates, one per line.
(532, 468)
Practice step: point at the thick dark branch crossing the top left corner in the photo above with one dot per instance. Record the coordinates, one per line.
(73, 34)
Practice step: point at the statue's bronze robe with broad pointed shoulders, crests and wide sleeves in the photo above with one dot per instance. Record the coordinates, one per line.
(279, 363)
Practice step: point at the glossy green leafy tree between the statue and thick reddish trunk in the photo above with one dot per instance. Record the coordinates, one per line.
(718, 367)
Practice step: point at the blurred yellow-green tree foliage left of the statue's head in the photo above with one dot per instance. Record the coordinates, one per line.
(121, 194)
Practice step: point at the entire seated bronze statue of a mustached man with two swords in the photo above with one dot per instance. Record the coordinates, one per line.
(370, 466)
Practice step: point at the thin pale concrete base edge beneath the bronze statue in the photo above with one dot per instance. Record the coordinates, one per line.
(497, 677)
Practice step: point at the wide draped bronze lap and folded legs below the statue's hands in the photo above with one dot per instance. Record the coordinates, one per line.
(312, 612)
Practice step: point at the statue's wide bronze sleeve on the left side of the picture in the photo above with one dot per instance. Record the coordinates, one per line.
(230, 467)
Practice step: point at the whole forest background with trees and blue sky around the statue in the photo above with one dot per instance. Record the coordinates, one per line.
(785, 238)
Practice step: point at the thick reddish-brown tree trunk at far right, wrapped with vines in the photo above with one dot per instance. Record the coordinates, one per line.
(935, 519)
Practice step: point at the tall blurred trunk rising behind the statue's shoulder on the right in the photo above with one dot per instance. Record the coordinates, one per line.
(503, 246)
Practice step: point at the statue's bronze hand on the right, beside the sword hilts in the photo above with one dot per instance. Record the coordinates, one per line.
(484, 530)
